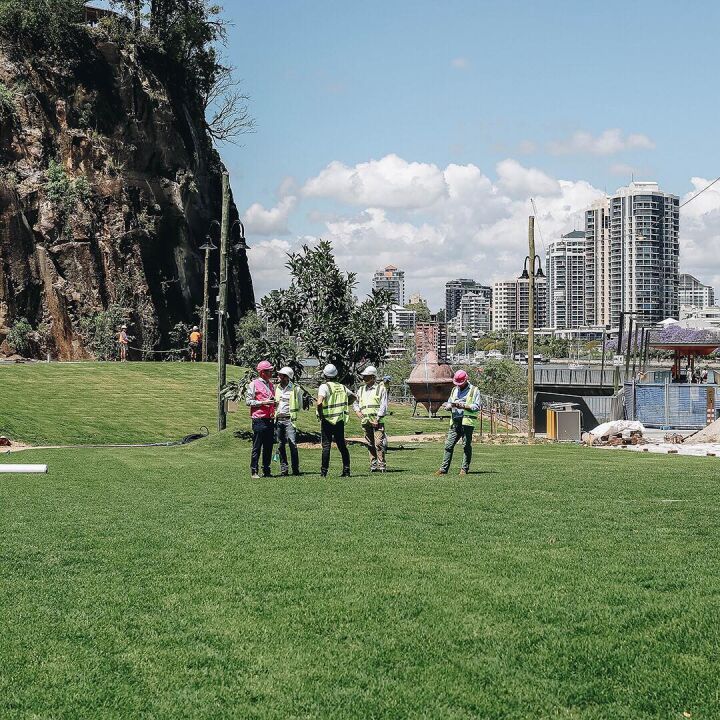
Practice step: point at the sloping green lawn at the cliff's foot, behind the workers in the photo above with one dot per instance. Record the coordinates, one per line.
(52, 404)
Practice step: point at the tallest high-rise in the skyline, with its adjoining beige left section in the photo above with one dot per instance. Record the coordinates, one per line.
(632, 255)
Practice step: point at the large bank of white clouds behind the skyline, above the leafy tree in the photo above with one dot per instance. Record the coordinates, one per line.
(467, 225)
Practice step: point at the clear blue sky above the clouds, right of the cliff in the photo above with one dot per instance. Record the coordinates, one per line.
(355, 81)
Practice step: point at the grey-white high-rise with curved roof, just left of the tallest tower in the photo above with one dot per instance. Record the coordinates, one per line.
(568, 281)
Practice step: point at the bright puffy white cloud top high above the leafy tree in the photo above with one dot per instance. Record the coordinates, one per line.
(390, 182)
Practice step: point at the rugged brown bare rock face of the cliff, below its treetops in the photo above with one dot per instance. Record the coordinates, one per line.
(108, 186)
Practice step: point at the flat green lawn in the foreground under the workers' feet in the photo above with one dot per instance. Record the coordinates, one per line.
(552, 582)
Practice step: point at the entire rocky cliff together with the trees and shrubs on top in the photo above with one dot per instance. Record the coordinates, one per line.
(109, 180)
